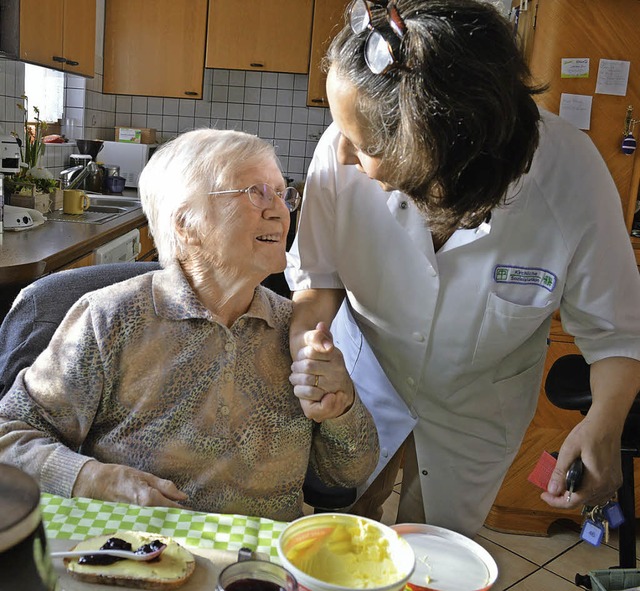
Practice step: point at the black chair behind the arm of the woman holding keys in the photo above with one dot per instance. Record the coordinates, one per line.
(567, 386)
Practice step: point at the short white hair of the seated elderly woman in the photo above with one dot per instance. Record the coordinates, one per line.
(175, 183)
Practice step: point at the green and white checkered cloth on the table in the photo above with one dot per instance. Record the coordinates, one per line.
(80, 518)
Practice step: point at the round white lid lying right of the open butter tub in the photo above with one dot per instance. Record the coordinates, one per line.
(446, 560)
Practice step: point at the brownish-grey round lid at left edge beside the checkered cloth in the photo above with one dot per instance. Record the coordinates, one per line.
(19, 505)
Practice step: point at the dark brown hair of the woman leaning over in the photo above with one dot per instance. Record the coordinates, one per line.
(457, 123)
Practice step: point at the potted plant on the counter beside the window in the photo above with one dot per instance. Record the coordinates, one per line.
(32, 186)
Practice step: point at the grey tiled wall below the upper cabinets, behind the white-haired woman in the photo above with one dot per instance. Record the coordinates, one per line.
(271, 105)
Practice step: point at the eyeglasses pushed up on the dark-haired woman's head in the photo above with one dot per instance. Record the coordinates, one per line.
(382, 46)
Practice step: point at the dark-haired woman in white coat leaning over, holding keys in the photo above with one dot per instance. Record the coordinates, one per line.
(456, 223)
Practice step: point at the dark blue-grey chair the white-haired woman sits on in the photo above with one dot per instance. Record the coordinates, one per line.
(40, 307)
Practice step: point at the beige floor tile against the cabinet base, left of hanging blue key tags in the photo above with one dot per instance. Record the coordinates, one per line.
(538, 550)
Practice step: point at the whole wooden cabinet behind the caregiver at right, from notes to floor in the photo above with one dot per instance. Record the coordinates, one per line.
(555, 30)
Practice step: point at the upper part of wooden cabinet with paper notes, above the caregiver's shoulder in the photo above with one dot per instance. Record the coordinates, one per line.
(595, 30)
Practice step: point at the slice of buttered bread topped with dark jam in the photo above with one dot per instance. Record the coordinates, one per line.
(172, 569)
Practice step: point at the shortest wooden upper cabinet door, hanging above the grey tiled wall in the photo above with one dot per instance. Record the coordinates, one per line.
(265, 35)
